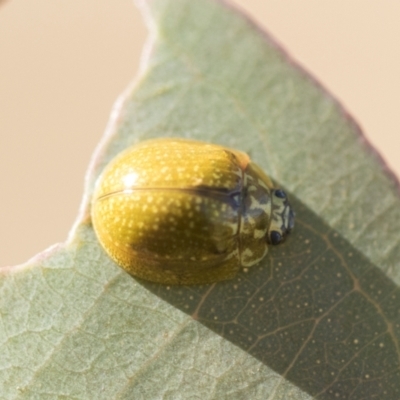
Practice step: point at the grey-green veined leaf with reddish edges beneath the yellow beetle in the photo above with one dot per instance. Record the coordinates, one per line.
(318, 318)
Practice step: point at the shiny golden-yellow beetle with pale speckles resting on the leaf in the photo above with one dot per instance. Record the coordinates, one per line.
(178, 211)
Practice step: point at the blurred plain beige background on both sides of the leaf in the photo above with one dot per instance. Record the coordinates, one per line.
(62, 65)
